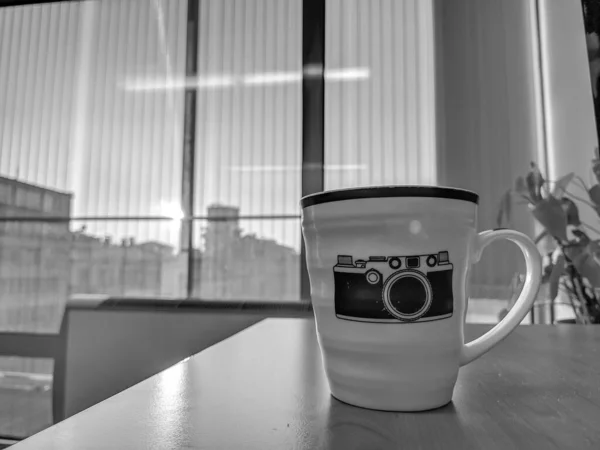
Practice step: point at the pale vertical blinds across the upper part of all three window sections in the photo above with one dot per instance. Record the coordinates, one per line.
(95, 106)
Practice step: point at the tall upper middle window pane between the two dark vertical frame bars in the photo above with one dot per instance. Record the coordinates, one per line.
(249, 106)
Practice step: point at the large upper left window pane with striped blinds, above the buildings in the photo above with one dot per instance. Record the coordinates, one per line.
(75, 112)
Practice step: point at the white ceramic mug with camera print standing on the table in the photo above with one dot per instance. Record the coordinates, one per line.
(388, 273)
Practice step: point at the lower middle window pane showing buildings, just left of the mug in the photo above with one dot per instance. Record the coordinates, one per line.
(247, 259)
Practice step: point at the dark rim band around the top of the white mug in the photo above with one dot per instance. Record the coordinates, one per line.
(337, 195)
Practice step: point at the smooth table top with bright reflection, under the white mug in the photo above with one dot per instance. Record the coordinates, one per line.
(264, 388)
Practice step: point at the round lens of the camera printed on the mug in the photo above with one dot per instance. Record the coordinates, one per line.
(407, 295)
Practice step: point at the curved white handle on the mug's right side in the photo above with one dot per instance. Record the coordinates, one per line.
(533, 261)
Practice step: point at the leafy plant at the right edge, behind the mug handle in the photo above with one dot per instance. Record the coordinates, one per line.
(573, 266)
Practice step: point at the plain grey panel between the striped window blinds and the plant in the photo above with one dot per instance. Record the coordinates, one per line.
(488, 110)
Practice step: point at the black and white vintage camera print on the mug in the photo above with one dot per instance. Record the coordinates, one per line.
(394, 289)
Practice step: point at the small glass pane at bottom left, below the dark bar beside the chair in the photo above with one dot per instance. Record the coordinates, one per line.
(25, 396)
